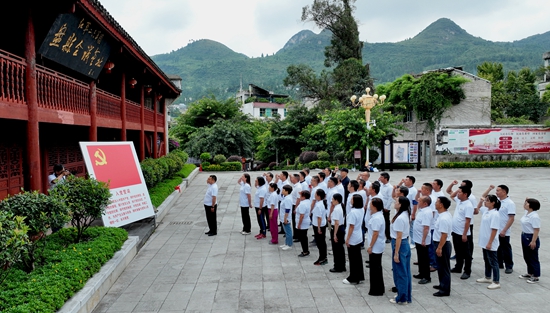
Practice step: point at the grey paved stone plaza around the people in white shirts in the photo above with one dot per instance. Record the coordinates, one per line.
(182, 270)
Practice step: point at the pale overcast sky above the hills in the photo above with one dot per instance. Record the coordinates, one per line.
(254, 27)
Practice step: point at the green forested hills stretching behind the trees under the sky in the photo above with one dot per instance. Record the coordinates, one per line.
(208, 67)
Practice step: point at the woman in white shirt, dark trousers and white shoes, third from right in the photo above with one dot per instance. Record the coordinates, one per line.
(488, 239)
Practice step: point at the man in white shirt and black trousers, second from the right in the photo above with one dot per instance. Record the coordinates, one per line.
(507, 213)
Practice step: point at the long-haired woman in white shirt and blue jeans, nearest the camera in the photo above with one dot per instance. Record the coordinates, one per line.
(401, 251)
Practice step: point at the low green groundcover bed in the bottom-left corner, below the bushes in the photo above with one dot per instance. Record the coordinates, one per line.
(64, 269)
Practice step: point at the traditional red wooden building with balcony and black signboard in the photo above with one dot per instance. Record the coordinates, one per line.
(70, 73)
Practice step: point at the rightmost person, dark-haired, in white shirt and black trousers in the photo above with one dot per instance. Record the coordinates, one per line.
(530, 243)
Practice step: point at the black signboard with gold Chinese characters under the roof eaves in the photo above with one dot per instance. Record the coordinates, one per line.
(76, 43)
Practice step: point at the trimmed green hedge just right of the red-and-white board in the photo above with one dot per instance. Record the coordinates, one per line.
(157, 170)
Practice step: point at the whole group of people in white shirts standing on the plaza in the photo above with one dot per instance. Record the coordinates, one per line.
(356, 213)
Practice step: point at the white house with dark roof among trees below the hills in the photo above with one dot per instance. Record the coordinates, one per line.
(261, 103)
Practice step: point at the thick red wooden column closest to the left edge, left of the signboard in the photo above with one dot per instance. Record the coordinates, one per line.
(33, 132)
